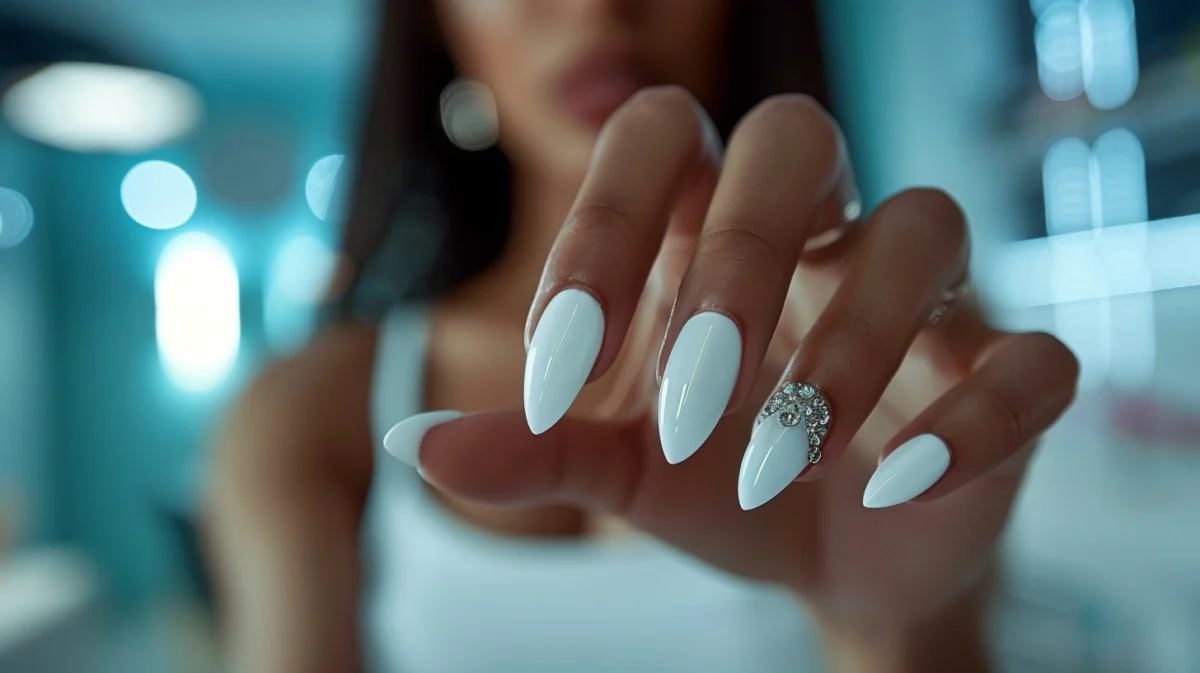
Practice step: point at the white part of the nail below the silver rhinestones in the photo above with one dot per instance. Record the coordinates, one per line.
(777, 455)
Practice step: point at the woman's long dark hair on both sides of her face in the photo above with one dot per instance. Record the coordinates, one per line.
(427, 215)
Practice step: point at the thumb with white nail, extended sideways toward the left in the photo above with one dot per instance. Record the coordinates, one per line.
(494, 459)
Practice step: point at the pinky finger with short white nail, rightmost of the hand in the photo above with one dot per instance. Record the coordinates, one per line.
(1021, 387)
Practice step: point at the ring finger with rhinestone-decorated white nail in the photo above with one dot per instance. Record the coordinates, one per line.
(913, 249)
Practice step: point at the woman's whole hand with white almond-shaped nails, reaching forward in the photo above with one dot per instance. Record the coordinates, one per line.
(665, 224)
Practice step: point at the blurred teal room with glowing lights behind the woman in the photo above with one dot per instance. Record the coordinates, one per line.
(170, 206)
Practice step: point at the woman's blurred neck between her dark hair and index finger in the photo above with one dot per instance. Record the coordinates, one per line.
(541, 205)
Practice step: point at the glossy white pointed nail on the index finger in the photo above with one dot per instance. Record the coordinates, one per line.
(562, 353)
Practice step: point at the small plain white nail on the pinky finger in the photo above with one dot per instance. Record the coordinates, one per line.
(908, 472)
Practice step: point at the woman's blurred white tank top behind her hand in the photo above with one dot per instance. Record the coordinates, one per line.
(443, 597)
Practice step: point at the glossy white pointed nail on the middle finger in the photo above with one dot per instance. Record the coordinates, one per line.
(698, 383)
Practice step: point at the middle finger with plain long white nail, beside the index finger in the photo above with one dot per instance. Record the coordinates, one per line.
(785, 161)
